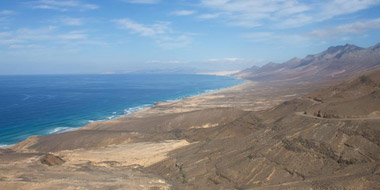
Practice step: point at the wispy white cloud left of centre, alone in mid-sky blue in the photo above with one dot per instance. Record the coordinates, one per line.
(161, 32)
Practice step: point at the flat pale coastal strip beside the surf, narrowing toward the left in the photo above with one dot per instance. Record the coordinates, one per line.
(247, 96)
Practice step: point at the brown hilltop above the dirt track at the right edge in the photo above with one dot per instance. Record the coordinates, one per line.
(356, 98)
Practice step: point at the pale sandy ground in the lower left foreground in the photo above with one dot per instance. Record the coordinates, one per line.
(110, 167)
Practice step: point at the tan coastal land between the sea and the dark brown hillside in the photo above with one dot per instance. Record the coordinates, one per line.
(132, 144)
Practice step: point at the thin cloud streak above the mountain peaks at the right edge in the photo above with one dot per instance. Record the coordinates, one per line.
(352, 28)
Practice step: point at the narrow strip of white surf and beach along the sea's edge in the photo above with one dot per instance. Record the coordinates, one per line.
(139, 109)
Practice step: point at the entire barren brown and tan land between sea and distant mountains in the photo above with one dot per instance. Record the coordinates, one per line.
(252, 136)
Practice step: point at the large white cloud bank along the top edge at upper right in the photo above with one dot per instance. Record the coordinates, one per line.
(281, 13)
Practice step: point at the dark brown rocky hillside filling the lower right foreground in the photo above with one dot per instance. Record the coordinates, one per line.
(286, 148)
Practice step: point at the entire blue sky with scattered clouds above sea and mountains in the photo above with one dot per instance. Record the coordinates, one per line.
(121, 36)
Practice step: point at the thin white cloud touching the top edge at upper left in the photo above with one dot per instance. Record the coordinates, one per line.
(63, 5)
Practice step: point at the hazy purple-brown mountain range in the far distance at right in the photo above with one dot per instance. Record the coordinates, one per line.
(334, 63)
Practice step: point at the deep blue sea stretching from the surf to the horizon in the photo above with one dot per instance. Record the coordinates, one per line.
(48, 104)
